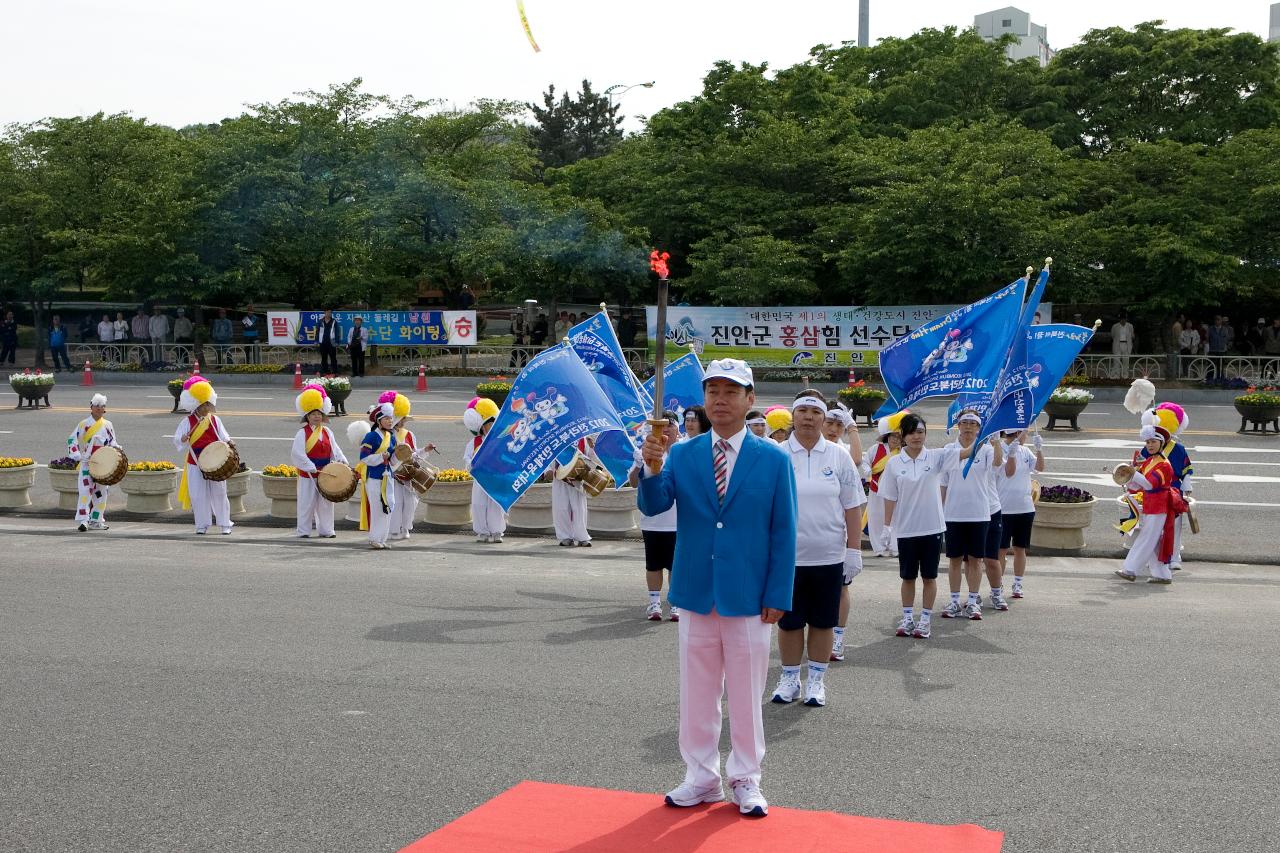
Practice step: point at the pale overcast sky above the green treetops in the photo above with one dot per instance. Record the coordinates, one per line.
(182, 62)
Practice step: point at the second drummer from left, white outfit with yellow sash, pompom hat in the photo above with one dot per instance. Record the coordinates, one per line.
(207, 499)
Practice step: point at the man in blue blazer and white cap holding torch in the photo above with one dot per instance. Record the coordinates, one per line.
(733, 578)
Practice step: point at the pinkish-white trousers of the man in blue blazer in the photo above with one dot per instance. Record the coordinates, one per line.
(720, 654)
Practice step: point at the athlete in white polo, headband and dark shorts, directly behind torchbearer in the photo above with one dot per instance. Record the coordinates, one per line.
(829, 536)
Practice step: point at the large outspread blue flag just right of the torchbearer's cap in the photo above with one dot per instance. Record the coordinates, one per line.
(962, 353)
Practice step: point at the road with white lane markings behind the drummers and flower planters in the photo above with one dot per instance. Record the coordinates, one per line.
(1237, 477)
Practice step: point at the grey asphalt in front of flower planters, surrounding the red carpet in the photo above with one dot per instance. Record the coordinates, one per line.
(262, 694)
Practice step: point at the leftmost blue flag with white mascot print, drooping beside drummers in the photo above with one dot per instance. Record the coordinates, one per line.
(554, 403)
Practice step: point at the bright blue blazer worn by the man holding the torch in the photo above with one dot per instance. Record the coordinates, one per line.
(738, 558)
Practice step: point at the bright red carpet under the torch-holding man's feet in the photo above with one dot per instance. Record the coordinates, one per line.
(542, 818)
